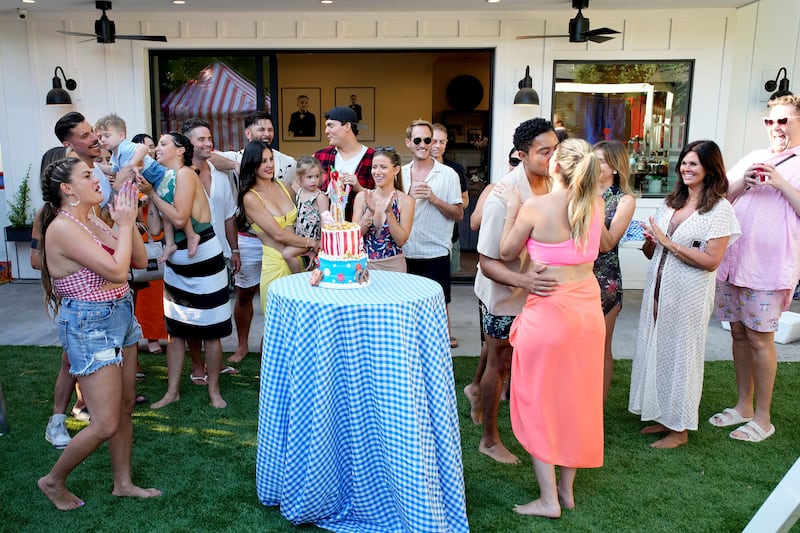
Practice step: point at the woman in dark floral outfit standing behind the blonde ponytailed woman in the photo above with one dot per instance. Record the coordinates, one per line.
(614, 187)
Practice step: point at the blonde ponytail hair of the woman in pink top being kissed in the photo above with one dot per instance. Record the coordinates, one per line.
(580, 169)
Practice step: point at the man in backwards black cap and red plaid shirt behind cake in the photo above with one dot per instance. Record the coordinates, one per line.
(352, 159)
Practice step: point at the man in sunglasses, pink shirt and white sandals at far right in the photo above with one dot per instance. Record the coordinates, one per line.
(760, 271)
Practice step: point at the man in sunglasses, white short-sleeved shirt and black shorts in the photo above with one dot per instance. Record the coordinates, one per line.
(435, 188)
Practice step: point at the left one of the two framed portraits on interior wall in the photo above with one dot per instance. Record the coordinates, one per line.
(301, 113)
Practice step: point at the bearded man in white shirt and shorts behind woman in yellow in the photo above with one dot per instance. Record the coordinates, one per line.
(258, 126)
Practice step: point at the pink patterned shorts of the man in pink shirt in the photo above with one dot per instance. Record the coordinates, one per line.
(757, 310)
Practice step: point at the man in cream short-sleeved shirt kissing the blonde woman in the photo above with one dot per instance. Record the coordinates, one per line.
(502, 287)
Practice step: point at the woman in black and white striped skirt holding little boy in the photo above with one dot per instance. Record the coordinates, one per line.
(196, 298)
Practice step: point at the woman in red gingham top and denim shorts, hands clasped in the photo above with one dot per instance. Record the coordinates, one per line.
(84, 273)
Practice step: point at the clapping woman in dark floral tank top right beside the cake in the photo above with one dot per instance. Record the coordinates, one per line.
(385, 214)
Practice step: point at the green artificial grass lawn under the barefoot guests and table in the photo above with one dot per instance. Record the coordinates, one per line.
(204, 461)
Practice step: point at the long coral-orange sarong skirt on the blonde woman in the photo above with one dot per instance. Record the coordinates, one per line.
(557, 376)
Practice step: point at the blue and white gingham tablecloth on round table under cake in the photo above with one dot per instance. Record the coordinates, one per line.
(358, 429)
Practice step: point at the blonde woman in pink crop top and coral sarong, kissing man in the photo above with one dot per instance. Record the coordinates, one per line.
(557, 367)
